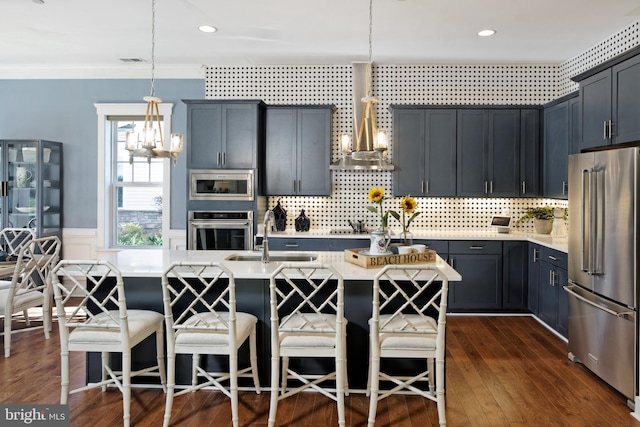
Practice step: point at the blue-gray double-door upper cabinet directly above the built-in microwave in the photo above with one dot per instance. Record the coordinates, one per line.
(224, 134)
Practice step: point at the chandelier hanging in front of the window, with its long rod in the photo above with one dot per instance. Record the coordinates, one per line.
(149, 143)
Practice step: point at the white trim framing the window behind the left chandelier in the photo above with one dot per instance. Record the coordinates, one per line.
(105, 168)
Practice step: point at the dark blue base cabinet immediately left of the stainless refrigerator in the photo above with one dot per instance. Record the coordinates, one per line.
(552, 299)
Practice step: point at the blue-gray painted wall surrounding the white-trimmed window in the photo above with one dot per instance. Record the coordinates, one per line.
(63, 110)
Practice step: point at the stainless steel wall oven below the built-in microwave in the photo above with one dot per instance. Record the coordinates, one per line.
(220, 230)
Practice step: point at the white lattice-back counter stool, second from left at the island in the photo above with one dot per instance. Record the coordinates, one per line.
(201, 318)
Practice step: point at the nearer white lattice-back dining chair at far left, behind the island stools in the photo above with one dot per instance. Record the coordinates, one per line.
(30, 285)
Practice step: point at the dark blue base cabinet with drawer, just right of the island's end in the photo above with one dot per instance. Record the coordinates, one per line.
(480, 265)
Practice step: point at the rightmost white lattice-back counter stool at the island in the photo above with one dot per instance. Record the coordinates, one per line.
(408, 322)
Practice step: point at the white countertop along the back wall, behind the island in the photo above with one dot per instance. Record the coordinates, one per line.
(558, 243)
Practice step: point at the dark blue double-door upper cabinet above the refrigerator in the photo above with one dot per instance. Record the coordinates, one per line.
(610, 102)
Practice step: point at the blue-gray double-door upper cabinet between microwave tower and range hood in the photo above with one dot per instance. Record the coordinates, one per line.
(298, 151)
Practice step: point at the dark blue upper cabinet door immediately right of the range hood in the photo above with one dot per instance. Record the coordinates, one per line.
(409, 146)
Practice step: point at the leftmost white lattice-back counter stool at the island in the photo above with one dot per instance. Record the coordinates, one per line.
(93, 317)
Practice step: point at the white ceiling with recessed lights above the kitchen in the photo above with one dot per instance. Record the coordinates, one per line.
(92, 35)
